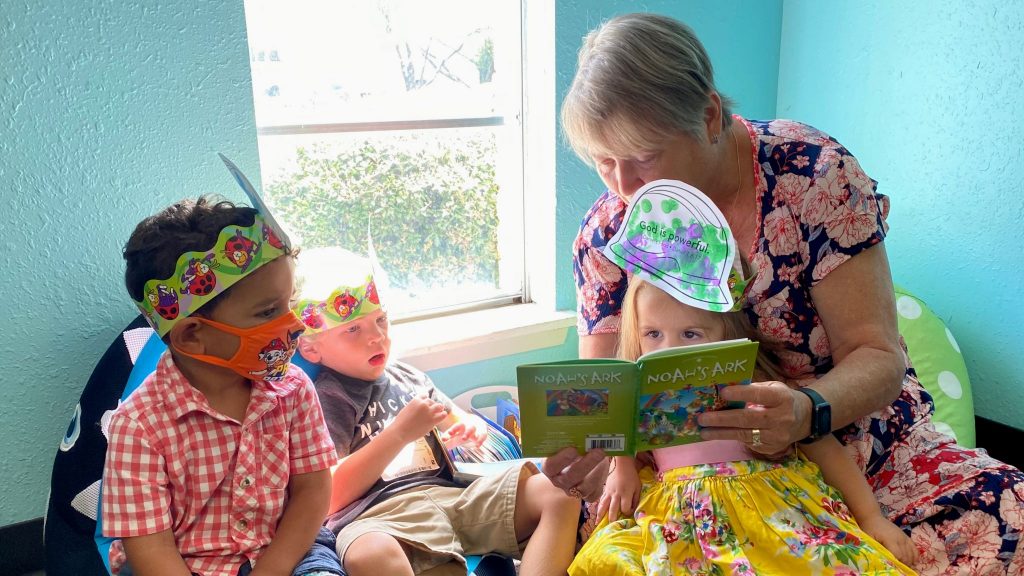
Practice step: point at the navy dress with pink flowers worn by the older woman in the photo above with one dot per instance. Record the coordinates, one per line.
(817, 209)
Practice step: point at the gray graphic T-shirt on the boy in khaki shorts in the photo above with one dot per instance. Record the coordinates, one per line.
(358, 410)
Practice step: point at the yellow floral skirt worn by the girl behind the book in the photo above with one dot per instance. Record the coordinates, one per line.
(751, 517)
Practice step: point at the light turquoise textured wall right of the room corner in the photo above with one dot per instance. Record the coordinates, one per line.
(929, 97)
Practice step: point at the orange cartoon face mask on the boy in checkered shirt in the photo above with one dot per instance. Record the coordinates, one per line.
(265, 351)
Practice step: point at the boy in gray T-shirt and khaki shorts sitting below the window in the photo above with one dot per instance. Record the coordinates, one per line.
(396, 505)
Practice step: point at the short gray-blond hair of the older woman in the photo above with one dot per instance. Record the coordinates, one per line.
(641, 80)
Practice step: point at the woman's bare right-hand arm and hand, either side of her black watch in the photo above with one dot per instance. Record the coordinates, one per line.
(859, 313)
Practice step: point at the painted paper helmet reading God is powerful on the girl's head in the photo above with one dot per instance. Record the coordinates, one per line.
(676, 238)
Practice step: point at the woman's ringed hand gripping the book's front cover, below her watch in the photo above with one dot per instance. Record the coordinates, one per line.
(776, 418)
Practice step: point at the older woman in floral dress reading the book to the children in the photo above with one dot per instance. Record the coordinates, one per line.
(644, 106)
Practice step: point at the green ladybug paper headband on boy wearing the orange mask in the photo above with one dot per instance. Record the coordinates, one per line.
(201, 276)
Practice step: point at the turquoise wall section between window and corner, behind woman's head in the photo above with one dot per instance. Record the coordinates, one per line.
(743, 40)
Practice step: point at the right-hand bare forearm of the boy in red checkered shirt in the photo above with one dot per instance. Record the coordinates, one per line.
(308, 501)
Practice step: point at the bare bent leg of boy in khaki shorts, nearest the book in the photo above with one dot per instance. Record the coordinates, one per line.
(549, 518)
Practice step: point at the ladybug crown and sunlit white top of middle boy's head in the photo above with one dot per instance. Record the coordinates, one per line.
(335, 287)
